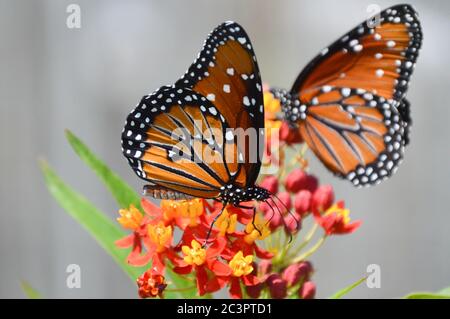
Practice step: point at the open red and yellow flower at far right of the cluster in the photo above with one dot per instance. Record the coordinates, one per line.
(336, 220)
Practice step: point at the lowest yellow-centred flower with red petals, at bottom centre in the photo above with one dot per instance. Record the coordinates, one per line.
(241, 269)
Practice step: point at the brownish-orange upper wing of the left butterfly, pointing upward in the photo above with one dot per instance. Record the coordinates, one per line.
(227, 73)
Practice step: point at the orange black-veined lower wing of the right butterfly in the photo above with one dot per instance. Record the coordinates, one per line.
(356, 134)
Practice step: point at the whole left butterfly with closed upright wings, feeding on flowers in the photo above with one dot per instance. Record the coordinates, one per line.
(167, 136)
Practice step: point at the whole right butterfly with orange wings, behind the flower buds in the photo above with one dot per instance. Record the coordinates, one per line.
(349, 102)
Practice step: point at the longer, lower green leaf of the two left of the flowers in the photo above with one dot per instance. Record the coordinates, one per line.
(104, 231)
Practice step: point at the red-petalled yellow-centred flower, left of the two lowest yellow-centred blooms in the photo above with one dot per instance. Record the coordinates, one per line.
(201, 260)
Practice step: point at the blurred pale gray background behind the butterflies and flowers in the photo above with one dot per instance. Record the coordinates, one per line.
(88, 79)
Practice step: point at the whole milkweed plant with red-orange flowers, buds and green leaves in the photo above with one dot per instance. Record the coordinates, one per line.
(158, 245)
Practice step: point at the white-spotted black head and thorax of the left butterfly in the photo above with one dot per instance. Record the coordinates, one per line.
(234, 194)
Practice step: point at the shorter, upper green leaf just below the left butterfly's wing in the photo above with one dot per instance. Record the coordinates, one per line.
(121, 191)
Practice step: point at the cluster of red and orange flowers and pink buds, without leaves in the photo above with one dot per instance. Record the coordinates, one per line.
(241, 250)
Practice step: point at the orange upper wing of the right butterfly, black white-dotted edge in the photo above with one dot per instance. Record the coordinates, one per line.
(378, 59)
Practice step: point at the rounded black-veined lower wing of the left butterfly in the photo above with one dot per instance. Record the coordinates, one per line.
(177, 139)
